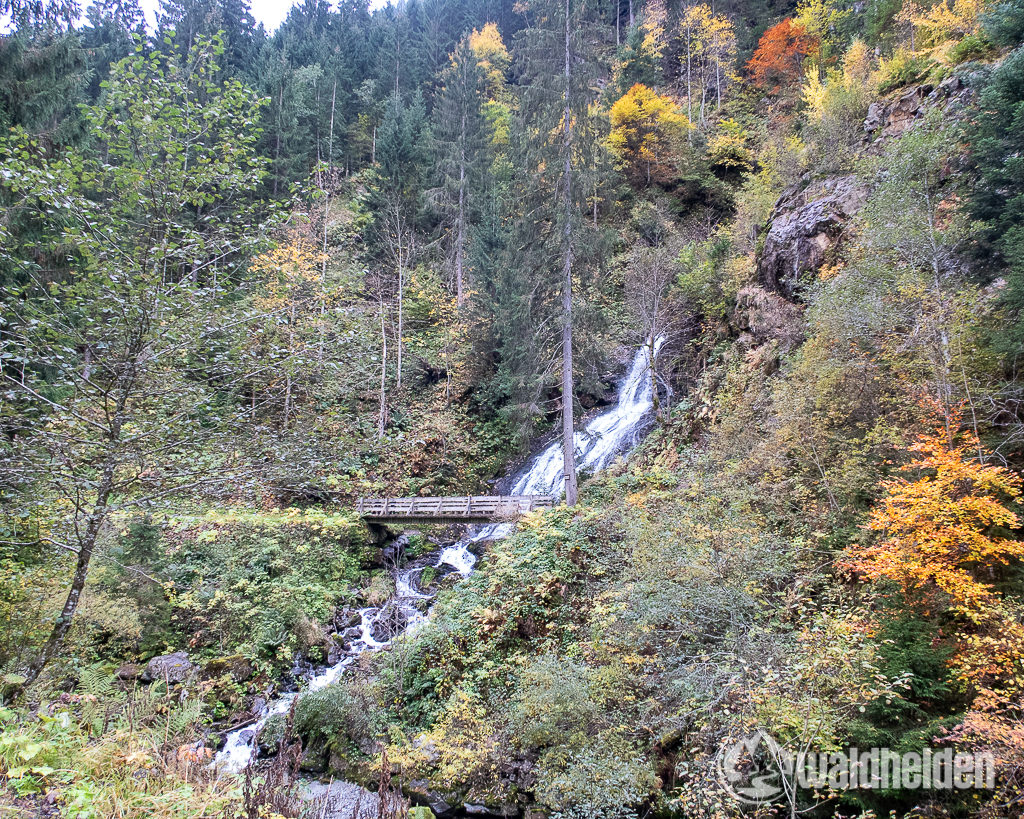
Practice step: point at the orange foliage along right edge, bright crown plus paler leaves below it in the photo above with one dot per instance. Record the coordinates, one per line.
(941, 544)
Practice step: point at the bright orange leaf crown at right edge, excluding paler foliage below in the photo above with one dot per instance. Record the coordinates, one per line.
(937, 544)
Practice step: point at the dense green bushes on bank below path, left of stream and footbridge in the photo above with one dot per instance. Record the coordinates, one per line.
(264, 585)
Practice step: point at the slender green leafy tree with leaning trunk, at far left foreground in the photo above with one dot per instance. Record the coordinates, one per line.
(103, 368)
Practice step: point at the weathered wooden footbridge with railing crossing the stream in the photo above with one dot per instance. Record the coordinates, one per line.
(473, 509)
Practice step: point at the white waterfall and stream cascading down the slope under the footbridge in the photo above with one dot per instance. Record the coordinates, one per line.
(600, 442)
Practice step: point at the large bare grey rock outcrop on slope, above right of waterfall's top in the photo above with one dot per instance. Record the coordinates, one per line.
(805, 227)
